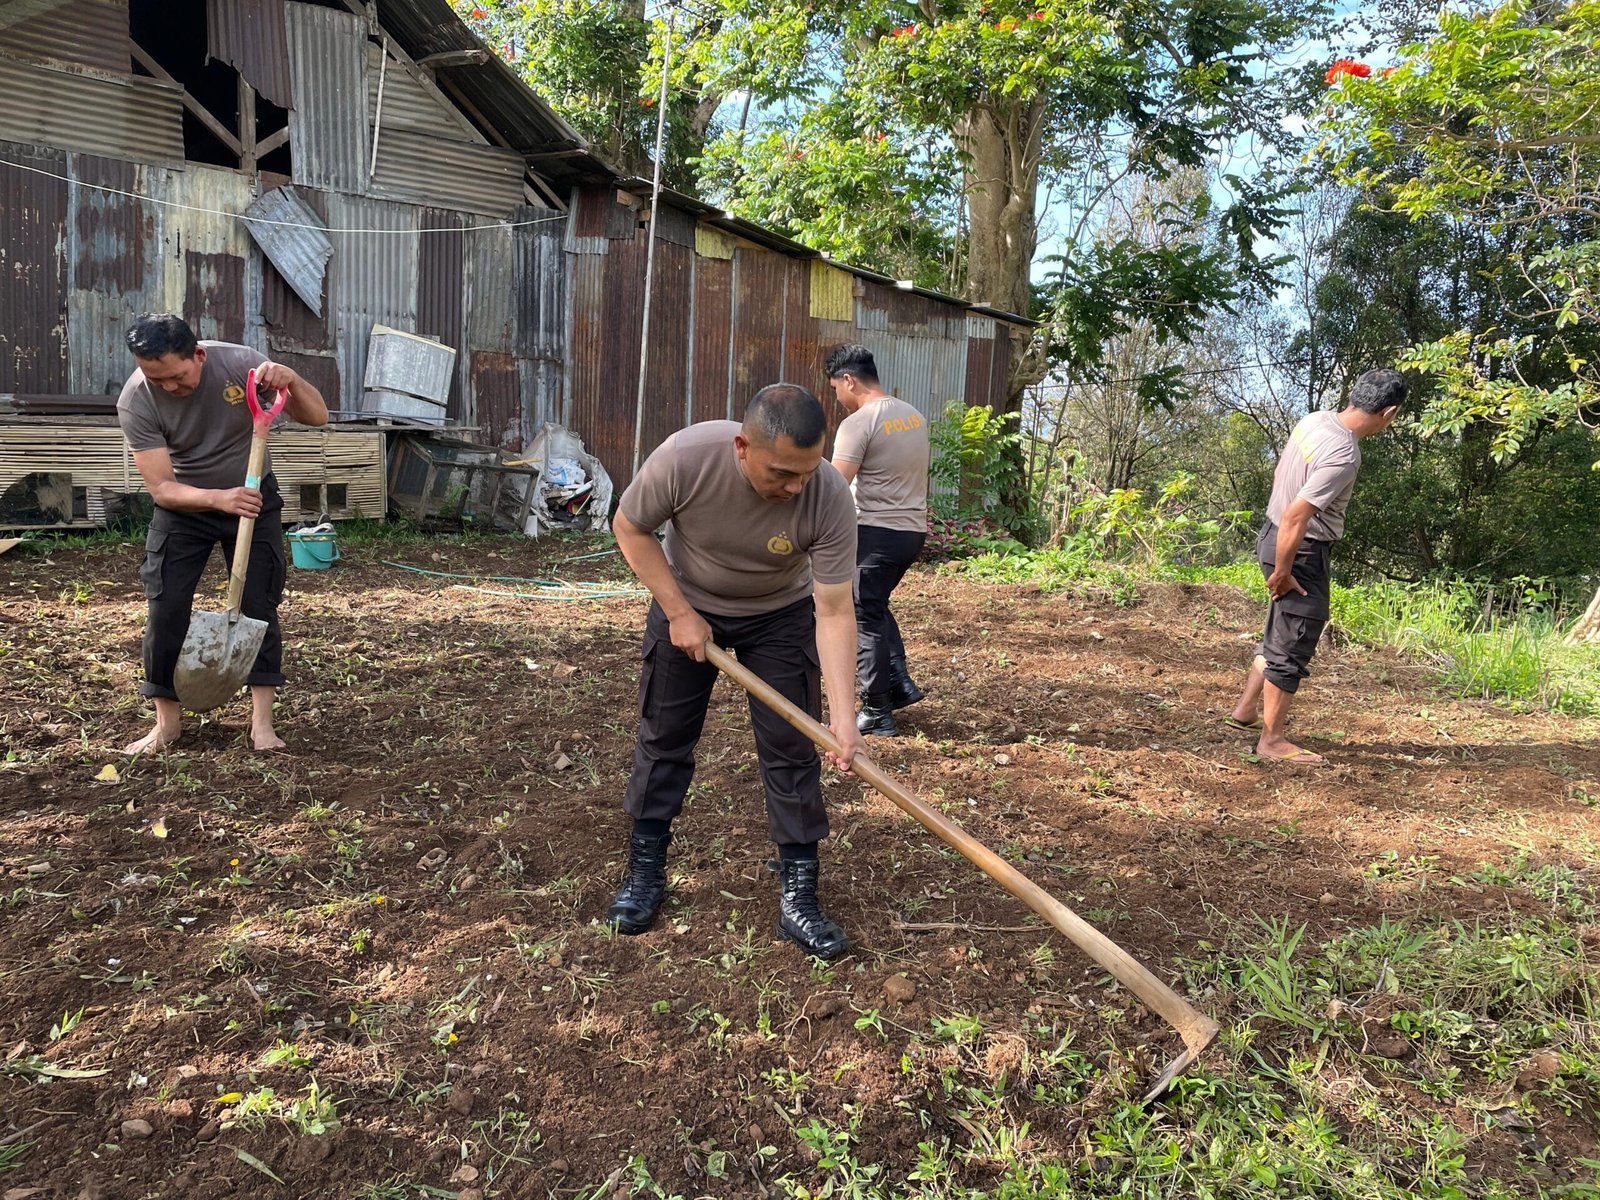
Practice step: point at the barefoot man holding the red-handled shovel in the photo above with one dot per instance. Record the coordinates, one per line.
(185, 417)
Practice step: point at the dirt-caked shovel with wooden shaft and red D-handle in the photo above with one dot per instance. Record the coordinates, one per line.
(222, 647)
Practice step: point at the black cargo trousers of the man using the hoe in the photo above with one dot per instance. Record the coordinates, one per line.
(674, 694)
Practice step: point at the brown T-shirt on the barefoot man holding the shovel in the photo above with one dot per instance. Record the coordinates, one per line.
(206, 434)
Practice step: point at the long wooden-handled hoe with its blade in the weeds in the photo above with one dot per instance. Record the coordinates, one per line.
(1194, 1026)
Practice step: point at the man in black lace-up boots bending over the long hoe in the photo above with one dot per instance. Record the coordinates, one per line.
(759, 558)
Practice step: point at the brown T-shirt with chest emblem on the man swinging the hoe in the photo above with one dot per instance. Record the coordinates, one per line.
(734, 553)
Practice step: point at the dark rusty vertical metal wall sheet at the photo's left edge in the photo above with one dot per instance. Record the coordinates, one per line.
(33, 273)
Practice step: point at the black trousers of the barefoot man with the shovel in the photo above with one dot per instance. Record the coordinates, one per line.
(177, 553)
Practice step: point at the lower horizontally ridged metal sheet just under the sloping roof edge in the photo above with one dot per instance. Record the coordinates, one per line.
(428, 170)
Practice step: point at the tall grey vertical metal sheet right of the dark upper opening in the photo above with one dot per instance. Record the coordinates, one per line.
(329, 129)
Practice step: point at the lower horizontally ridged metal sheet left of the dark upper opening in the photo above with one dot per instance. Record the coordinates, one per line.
(126, 118)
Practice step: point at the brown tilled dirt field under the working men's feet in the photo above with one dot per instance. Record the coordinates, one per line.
(370, 967)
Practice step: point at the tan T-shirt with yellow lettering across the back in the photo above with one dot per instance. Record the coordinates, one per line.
(890, 441)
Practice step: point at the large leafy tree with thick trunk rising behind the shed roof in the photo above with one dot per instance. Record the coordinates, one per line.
(948, 119)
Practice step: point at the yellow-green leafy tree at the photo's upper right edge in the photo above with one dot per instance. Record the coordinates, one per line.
(1495, 122)
